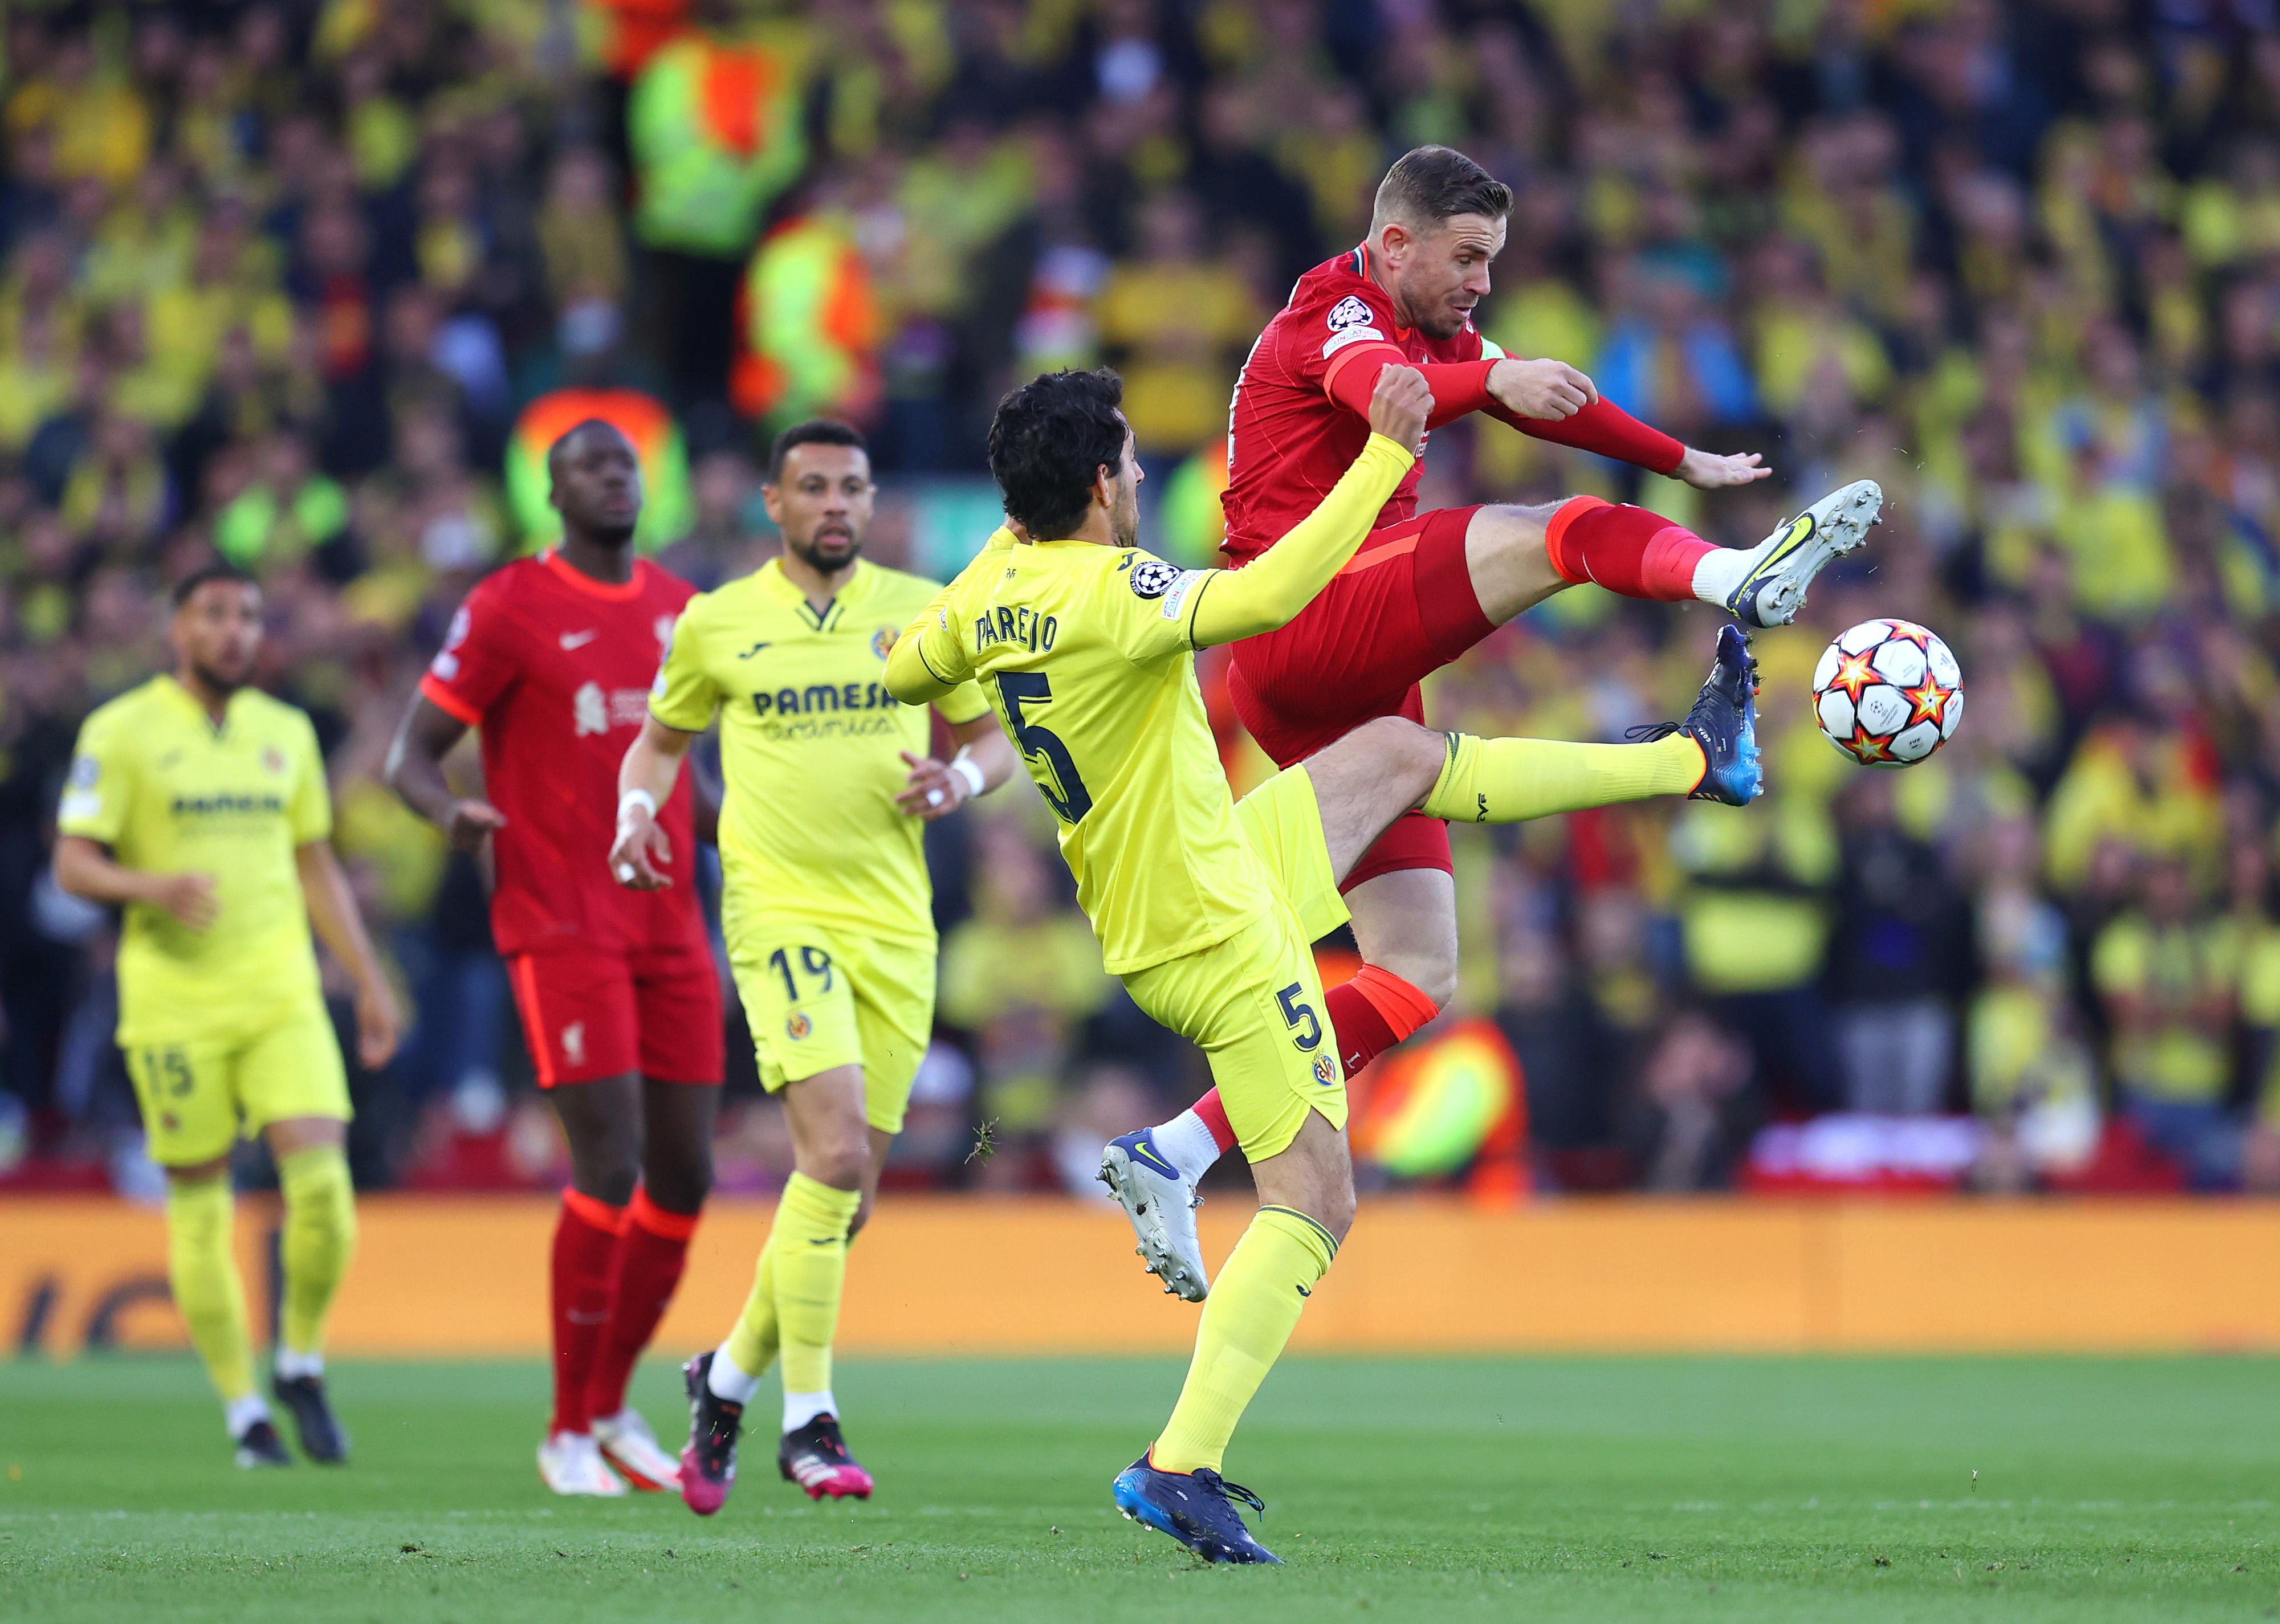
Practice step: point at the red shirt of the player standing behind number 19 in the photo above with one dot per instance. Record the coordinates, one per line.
(555, 672)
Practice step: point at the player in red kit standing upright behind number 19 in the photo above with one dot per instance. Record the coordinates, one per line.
(621, 1005)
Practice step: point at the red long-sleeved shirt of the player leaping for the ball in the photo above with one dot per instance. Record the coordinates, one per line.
(1289, 441)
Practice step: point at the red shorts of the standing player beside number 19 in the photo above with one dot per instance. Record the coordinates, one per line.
(601, 1014)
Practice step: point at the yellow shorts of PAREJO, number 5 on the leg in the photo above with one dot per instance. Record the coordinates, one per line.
(1255, 1002)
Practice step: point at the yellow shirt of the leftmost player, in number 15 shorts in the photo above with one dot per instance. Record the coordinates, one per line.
(174, 795)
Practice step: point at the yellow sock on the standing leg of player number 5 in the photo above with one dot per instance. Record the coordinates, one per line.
(1253, 1310)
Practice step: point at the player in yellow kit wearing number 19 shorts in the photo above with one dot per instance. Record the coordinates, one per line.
(826, 909)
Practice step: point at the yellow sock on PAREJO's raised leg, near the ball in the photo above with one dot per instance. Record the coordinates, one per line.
(1510, 781)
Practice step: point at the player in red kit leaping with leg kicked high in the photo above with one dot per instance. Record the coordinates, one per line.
(1426, 587)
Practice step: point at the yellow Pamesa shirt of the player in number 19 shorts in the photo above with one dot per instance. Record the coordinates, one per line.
(811, 745)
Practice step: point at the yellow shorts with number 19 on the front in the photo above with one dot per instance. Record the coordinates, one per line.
(820, 998)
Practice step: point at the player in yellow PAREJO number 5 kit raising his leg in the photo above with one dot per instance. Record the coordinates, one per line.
(1207, 909)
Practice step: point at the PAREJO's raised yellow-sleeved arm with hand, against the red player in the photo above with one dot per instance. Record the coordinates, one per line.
(1244, 603)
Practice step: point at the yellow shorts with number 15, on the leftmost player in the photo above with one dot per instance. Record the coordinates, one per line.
(202, 1094)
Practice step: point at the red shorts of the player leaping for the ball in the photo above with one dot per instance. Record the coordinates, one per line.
(1399, 612)
